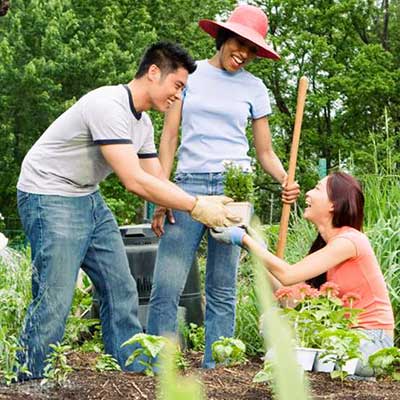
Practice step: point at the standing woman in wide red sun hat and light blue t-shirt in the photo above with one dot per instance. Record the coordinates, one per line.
(218, 101)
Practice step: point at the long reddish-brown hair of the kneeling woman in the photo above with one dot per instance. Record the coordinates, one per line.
(345, 192)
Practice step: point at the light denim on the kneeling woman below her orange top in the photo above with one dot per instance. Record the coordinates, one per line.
(377, 339)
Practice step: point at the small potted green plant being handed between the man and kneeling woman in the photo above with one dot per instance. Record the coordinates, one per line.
(239, 185)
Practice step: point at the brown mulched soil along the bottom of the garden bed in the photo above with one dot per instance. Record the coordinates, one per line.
(221, 383)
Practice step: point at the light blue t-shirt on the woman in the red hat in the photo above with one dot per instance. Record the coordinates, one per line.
(217, 106)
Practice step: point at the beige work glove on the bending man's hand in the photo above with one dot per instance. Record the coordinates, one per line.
(211, 211)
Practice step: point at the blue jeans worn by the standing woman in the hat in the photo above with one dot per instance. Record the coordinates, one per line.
(176, 253)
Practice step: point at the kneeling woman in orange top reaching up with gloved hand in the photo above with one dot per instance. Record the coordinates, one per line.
(341, 253)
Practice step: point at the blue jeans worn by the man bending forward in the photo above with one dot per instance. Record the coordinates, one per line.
(66, 233)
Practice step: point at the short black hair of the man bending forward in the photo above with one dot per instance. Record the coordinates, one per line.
(168, 57)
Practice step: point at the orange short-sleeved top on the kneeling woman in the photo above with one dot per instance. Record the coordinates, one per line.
(362, 275)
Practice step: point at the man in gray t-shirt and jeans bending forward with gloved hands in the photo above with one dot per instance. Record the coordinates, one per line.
(66, 220)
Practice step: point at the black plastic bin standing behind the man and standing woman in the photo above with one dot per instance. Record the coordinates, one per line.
(141, 246)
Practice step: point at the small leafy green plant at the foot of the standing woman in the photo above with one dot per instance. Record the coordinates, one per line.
(228, 351)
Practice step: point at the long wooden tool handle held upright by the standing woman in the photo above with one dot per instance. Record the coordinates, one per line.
(301, 98)
